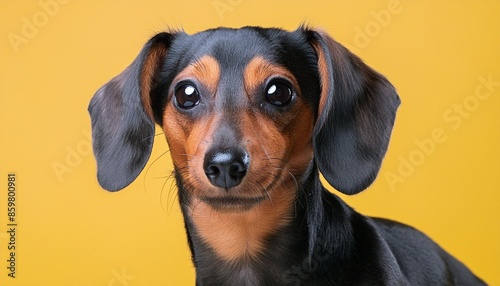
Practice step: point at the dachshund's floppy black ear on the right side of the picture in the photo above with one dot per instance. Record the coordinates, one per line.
(356, 113)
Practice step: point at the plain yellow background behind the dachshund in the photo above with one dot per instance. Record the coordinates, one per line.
(71, 232)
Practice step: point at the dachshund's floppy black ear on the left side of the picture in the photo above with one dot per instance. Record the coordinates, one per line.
(121, 115)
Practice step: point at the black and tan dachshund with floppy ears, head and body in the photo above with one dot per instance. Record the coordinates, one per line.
(252, 116)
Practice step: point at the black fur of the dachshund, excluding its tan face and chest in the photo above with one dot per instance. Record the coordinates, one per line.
(327, 243)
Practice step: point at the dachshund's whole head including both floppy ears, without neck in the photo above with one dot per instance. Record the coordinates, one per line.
(245, 112)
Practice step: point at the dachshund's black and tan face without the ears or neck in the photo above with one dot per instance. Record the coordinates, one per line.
(238, 116)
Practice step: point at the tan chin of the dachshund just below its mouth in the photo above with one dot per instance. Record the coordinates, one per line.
(232, 203)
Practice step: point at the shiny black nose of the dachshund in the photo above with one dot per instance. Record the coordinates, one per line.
(225, 168)
